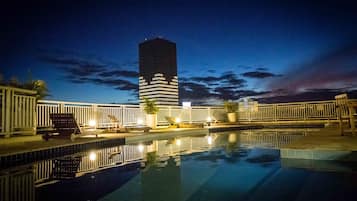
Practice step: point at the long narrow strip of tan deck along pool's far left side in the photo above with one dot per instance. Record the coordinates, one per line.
(21, 144)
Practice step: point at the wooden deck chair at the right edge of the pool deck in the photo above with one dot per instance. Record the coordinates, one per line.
(344, 113)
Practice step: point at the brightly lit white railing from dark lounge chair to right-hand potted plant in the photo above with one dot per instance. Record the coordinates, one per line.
(126, 114)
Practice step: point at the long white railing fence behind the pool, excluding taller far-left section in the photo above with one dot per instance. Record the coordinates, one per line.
(130, 114)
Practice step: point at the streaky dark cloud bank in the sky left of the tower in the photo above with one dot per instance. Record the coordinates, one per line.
(81, 70)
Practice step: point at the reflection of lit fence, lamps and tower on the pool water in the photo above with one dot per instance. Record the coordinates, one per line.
(158, 163)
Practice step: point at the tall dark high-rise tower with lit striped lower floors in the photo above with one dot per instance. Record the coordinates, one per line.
(158, 71)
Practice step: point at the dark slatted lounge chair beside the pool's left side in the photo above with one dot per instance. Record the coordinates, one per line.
(65, 125)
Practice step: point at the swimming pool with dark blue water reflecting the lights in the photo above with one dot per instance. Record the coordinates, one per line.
(242, 165)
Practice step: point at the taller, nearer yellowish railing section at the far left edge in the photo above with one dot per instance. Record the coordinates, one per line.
(17, 111)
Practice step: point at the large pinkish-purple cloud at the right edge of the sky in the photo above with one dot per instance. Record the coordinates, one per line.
(336, 69)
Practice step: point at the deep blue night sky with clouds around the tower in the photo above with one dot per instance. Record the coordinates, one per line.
(273, 51)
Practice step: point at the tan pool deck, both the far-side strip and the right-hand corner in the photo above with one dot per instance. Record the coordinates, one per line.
(323, 144)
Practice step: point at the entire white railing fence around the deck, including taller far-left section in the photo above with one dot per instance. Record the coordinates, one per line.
(18, 112)
